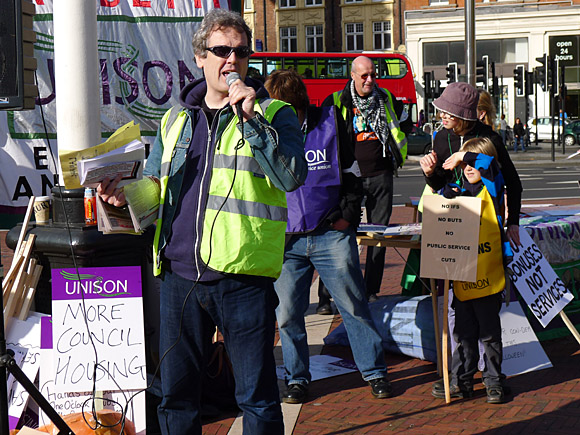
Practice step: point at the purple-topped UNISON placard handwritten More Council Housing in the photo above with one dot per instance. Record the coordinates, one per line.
(102, 309)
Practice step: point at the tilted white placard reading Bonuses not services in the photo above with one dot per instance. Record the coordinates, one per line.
(536, 281)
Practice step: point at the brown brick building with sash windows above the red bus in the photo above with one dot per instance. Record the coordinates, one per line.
(324, 25)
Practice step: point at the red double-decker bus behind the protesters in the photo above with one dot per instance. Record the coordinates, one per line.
(325, 73)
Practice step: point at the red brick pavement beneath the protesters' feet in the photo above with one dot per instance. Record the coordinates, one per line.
(546, 401)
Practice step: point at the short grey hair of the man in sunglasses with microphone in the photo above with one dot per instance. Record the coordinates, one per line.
(214, 20)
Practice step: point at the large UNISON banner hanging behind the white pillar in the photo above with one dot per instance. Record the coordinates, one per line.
(145, 60)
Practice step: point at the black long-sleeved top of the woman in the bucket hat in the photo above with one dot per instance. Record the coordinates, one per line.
(446, 142)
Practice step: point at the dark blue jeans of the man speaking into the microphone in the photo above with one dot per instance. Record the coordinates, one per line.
(243, 309)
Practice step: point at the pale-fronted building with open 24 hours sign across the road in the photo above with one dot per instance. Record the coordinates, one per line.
(510, 33)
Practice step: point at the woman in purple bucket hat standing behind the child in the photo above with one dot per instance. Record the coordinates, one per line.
(457, 108)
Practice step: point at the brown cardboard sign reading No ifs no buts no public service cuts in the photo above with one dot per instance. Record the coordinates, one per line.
(450, 238)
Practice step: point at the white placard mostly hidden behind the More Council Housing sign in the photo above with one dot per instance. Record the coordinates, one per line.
(71, 402)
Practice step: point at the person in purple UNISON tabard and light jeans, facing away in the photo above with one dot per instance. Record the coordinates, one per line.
(323, 216)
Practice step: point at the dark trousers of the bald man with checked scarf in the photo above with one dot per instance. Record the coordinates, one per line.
(378, 192)
